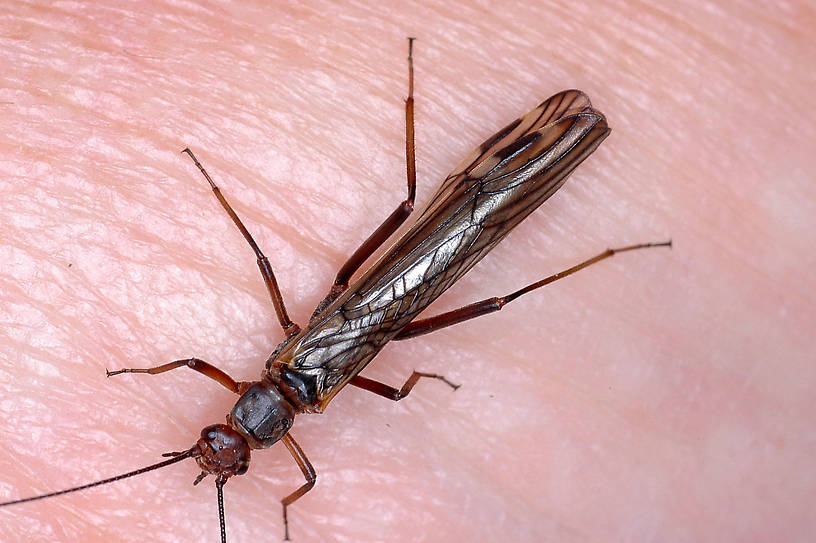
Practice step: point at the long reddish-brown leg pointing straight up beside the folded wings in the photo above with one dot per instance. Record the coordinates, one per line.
(393, 222)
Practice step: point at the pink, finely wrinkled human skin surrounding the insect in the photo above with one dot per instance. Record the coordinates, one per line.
(663, 395)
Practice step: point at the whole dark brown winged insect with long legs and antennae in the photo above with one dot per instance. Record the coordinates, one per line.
(490, 192)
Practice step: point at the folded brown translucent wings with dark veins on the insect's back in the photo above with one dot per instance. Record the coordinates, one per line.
(502, 182)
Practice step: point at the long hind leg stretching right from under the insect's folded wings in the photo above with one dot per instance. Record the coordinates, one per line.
(477, 309)
